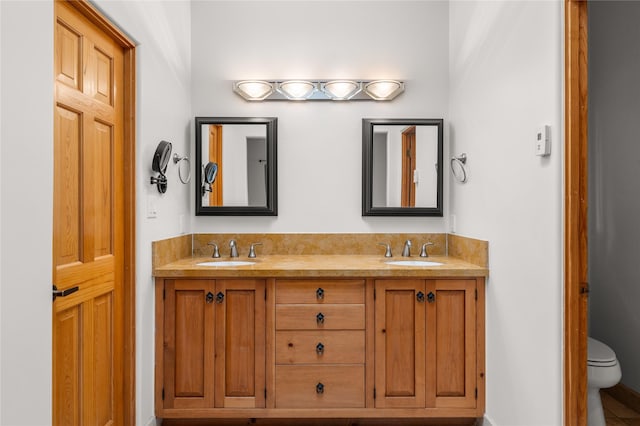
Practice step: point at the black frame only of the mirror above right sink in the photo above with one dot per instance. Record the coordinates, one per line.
(367, 168)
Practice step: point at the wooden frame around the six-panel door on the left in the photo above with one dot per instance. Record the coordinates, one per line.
(129, 161)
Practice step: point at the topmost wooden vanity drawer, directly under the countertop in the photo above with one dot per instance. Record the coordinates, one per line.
(320, 291)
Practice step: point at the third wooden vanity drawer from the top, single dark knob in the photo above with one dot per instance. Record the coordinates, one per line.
(320, 347)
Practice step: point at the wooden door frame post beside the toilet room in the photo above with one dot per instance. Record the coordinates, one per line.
(575, 213)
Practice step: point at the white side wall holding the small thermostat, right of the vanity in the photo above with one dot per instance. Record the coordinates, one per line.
(505, 80)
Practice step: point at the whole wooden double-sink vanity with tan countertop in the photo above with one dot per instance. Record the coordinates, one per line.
(319, 336)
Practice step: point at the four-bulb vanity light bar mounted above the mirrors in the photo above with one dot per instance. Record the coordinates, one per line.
(318, 90)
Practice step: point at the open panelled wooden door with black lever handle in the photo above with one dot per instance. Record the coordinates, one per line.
(89, 222)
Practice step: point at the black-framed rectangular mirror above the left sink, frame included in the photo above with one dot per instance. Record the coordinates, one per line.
(236, 172)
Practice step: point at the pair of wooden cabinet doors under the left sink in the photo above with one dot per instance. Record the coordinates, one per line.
(210, 344)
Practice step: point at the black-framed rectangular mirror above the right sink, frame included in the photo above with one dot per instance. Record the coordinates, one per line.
(402, 167)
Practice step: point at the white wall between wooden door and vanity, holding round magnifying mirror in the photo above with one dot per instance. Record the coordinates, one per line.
(161, 31)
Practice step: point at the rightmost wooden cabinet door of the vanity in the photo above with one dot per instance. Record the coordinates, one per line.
(451, 351)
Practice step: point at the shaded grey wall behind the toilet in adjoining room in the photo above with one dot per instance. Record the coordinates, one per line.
(614, 172)
